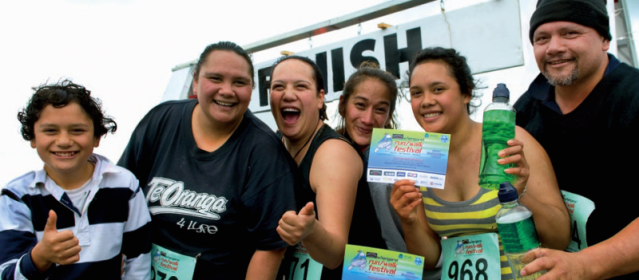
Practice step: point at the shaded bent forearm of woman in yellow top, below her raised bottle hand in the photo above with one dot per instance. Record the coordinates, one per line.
(552, 223)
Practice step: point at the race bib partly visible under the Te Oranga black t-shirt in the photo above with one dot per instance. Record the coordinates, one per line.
(169, 265)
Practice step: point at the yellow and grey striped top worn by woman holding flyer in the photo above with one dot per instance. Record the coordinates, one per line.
(473, 216)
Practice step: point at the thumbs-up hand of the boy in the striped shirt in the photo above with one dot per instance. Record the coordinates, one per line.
(55, 247)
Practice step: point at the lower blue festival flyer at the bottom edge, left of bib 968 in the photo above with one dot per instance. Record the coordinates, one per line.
(371, 263)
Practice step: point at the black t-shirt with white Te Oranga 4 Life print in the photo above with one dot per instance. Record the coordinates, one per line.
(220, 205)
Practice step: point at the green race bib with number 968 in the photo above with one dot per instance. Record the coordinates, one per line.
(472, 257)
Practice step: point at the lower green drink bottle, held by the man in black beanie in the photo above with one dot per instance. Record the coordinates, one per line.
(516, 229)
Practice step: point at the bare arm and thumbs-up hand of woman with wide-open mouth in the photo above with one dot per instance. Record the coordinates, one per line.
(335, 184)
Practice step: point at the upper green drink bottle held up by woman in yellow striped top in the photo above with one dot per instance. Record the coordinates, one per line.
(497, 129)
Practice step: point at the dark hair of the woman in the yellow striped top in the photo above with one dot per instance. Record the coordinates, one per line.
(457, 67)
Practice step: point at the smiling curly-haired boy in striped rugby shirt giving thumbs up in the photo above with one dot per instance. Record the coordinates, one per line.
(78, 216)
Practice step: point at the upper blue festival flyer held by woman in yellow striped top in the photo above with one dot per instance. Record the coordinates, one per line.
(401, 154)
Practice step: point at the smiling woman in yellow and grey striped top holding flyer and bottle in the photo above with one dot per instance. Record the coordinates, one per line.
(441, 89)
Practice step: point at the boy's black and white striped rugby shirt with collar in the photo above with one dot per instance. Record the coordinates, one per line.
(115, 221)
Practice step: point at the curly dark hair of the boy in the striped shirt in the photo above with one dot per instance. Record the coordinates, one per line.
(59, 95)
